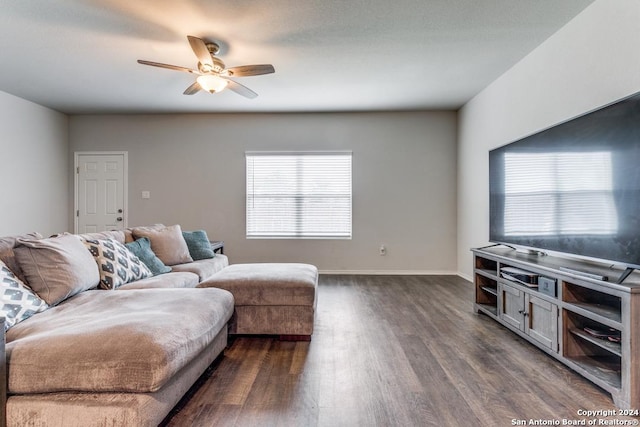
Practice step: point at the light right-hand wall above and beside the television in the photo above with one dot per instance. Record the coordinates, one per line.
(592, 61)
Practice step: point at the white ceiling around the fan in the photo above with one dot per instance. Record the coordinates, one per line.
(79, 56)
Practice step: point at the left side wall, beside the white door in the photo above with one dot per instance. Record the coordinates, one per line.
(35, 169)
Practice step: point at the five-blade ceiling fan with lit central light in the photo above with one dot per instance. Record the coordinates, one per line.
(213, 75)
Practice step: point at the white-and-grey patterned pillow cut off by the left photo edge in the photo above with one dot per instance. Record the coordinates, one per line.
(17, 302)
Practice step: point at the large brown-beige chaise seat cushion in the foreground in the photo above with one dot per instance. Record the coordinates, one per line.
(98, 341)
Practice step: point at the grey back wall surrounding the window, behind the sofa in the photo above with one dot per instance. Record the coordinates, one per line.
(404, 180)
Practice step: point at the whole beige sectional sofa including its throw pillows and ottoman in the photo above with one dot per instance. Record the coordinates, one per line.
(101, 333)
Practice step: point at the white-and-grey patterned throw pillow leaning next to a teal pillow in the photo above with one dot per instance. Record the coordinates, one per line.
(117, 264)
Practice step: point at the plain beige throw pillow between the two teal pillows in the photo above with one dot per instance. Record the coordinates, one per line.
(167, 243)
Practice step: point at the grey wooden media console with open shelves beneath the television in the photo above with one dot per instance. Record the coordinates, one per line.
(590, 325)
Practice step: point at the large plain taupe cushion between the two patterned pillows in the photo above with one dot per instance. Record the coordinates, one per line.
(57, 268)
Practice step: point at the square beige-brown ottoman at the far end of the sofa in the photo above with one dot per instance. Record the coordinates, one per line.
(270, 298)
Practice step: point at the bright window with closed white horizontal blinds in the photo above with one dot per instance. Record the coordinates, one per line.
(298, 195)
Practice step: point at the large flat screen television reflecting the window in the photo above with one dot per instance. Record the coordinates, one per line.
(573, 188)
